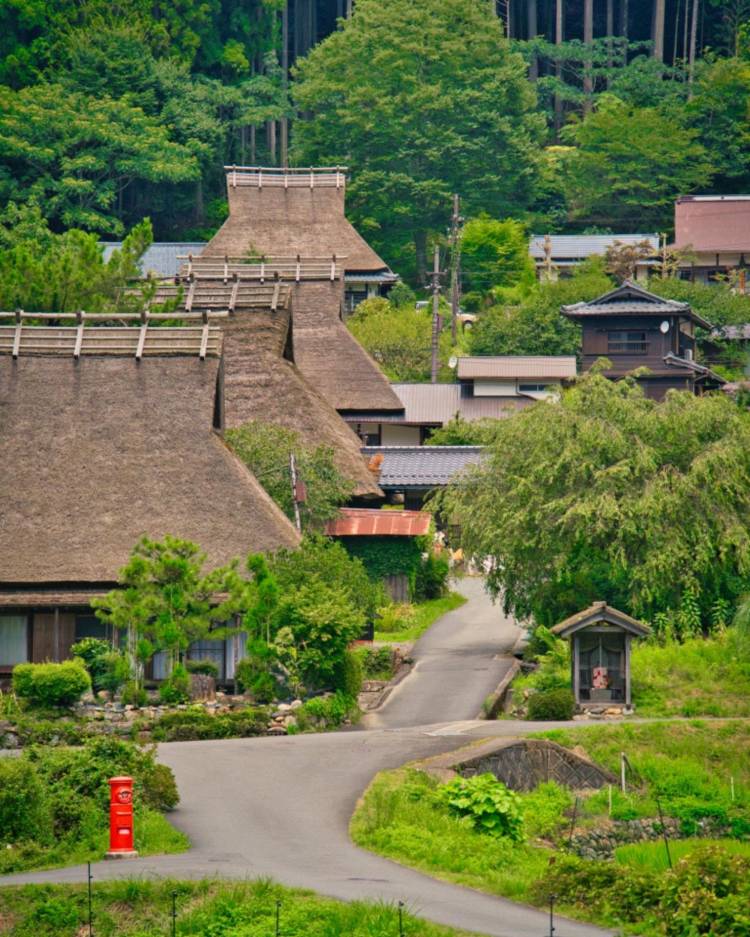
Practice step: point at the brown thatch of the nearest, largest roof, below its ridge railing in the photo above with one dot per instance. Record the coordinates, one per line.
(100, 451)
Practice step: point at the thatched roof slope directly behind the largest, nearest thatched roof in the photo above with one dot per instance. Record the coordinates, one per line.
(260, 384)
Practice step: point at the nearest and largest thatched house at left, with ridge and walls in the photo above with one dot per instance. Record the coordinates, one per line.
(107, 434)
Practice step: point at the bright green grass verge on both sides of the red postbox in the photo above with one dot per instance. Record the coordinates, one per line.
(154, 835)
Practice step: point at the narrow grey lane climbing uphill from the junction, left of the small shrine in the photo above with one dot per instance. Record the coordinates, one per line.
(458, 663)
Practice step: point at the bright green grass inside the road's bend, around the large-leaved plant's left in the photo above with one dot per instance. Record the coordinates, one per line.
(397, 818)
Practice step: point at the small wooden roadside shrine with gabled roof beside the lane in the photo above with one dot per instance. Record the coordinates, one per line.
(600, 639)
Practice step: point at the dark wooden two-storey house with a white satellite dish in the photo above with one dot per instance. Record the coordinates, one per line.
(634, 329)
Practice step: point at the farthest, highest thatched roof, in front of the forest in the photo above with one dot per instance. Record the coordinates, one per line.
(300, 219)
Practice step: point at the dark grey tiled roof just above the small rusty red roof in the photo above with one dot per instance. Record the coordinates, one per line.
(422, 466)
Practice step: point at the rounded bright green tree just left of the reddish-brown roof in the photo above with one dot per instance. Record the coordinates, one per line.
(617, 174)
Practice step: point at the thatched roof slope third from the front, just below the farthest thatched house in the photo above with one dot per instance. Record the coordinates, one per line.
(330, 357)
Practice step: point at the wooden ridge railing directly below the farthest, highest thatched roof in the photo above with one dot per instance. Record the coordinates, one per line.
(286, 268)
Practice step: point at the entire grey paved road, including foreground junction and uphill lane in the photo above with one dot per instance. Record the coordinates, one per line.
(280, 807)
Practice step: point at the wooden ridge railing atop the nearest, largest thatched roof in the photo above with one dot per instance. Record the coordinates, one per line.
(113, 339)
